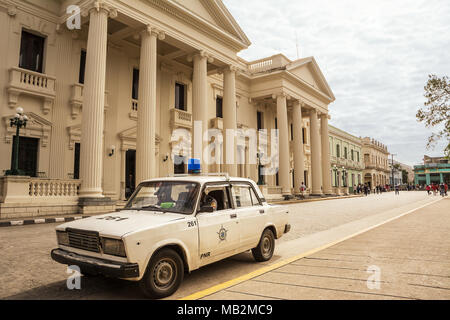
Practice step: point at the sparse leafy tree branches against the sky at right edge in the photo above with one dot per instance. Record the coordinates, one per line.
(436, 109)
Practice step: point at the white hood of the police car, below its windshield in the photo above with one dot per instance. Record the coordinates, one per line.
(118, 224)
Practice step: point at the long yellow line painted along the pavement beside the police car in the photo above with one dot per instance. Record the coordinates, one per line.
(256, 273)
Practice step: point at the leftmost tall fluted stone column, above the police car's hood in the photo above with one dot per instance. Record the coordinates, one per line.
(91, 154)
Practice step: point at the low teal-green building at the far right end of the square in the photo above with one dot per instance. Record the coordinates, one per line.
(434, 170)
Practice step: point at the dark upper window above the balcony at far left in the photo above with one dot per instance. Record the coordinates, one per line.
(31, 52)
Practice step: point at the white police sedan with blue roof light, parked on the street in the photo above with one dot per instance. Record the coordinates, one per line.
(171, 226)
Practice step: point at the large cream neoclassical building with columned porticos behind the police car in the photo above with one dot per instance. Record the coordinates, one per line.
(104, 99)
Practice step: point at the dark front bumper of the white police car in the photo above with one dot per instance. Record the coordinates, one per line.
(95, 265)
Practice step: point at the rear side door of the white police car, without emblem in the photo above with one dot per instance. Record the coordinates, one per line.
(250, 212)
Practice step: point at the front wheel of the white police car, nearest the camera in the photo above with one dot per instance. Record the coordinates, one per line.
(164, 274)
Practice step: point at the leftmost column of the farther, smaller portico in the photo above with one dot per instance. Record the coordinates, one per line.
(283, 144)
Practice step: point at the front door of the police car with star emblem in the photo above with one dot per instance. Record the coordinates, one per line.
(218, 230)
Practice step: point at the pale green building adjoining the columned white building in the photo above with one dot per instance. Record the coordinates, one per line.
(347, 163)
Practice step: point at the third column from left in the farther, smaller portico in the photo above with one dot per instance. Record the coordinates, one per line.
(316, 162)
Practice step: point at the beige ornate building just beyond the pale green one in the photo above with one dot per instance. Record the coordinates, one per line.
(376, 165)
